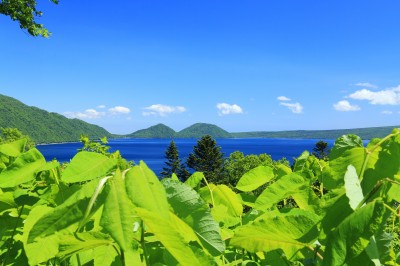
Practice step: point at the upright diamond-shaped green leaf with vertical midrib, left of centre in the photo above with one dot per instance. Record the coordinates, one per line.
(118, 216)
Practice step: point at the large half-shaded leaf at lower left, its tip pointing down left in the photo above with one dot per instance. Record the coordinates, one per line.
(73, 210)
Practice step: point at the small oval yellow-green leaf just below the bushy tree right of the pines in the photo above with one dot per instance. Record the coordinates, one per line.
(255, 178)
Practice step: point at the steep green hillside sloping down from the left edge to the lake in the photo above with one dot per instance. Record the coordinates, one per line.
(43, 126)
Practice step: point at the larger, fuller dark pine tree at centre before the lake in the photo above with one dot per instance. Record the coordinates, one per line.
(207, 158)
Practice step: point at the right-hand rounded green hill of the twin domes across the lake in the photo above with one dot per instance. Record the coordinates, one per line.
(200, 129)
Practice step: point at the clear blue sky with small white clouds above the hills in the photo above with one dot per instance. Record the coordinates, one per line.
(243, 65)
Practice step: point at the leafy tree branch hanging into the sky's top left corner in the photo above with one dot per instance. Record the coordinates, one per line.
(25, 12)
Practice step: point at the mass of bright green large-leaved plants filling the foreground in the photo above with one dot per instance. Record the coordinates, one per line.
(101, 210)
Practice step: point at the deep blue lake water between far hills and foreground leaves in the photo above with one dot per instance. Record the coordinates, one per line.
(152, 151)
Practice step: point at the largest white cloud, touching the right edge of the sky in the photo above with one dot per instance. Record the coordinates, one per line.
(383, 97)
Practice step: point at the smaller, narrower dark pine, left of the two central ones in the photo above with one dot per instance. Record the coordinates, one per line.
(173, 163)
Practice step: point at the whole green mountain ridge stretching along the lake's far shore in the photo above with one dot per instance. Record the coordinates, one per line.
(48, 127)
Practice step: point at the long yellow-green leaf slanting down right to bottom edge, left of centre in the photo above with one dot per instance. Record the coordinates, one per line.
(172, 239)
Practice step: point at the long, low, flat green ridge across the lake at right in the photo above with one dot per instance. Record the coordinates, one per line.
(364, 133)
